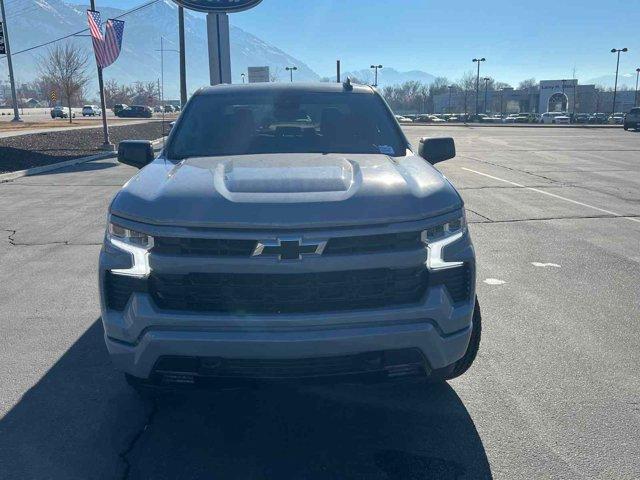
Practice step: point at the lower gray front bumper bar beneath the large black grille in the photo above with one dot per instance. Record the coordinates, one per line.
(265, 337)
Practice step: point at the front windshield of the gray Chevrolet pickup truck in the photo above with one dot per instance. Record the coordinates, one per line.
(289, 122)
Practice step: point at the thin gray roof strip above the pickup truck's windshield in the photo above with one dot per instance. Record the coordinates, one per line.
(320, 87)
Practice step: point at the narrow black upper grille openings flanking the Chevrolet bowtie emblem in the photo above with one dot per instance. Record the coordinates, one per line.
(217, 247)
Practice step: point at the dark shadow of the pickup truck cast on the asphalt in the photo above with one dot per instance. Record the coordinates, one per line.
(81, 421)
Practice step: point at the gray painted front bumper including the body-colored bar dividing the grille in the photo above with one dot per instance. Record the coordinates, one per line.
(142, 334)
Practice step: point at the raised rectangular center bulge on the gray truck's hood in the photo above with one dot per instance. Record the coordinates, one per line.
(261, 175)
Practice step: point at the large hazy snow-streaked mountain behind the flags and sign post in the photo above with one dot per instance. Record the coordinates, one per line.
(32, 22)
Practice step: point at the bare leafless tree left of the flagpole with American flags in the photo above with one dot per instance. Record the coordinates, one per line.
(66, 68)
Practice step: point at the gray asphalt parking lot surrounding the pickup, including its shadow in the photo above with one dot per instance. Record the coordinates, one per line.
(555, 216)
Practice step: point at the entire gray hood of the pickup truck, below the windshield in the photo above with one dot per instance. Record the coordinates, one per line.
(285, 191)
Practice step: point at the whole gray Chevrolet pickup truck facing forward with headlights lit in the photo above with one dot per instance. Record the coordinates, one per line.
(288, 231)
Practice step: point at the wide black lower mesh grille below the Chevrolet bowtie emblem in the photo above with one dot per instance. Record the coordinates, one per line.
(289, 293)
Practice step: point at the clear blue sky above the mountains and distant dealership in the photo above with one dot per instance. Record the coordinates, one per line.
(544, 39)
